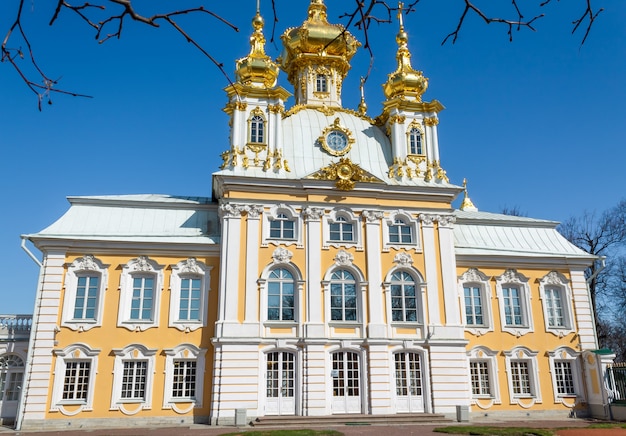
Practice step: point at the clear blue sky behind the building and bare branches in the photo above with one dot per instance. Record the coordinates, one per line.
(536, 123)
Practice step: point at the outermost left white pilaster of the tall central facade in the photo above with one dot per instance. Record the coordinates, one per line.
(229, 269)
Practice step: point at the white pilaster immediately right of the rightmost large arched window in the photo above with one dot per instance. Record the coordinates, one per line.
(430, 264)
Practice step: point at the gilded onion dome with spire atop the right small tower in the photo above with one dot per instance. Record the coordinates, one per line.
(405, 80)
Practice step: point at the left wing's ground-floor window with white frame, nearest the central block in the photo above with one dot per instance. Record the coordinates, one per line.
(184, 377)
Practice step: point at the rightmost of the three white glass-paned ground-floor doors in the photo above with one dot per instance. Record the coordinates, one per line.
(409, 389)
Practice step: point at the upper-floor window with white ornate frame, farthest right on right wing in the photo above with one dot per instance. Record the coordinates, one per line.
(556, 298)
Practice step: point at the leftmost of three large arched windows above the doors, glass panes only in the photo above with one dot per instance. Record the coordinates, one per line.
(280, 295)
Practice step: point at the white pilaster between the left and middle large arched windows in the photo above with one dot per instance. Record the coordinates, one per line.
(314, 325)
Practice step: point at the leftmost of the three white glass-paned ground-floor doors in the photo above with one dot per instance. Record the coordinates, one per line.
(280, 390)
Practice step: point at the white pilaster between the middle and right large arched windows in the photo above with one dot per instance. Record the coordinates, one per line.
(376, 327)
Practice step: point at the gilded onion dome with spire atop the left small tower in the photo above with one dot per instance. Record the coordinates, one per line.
(257, 69)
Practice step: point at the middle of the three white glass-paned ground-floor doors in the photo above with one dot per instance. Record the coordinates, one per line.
(346, 383)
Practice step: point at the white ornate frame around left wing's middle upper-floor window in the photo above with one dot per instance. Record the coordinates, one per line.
(141, 266)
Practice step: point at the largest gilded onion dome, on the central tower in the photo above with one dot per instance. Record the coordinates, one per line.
(316, 38)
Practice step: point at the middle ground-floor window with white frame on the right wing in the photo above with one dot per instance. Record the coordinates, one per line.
(523, 377)
